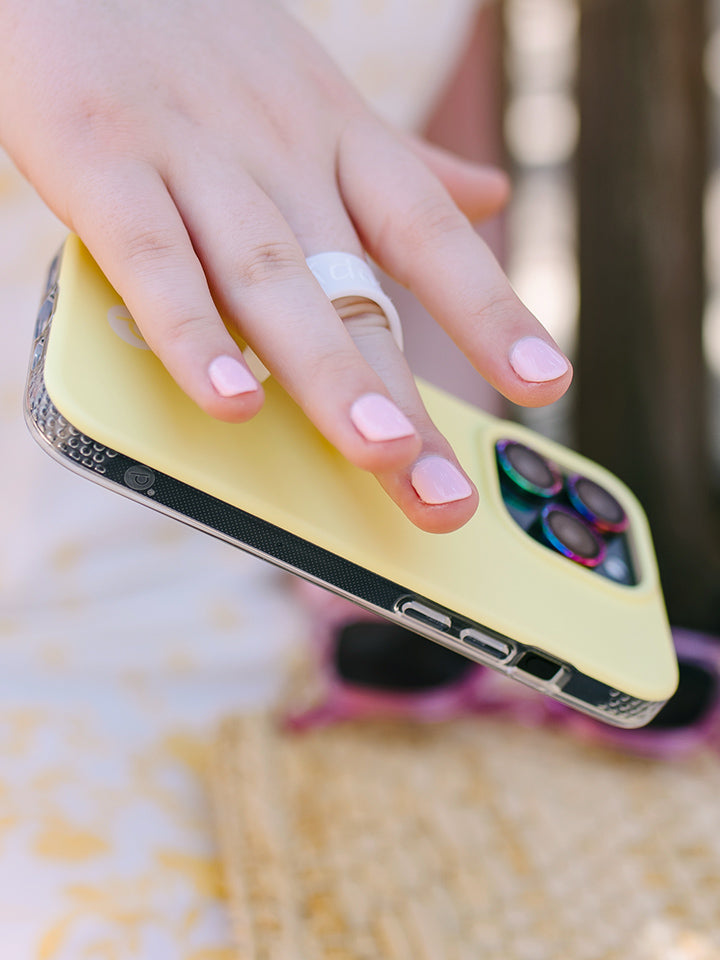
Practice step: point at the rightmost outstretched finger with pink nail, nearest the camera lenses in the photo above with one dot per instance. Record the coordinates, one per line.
(409, 223)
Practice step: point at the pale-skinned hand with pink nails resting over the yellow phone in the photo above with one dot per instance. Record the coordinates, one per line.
(202, 152)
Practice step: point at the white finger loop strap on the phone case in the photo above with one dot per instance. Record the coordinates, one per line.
(342, 275)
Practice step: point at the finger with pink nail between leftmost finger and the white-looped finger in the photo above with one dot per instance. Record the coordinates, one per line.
(259, 277)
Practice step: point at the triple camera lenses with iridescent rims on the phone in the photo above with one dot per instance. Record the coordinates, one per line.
(571, 514)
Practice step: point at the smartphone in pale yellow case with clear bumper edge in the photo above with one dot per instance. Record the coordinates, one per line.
(553, 581)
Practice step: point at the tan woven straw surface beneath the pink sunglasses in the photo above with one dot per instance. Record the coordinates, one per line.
(468, 840)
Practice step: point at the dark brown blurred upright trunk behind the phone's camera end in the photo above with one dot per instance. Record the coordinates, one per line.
(641, 381)
